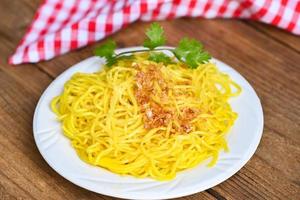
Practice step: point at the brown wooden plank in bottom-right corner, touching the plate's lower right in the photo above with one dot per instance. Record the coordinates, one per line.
(248, 184)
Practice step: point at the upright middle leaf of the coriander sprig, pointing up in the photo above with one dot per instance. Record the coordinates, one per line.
(155, 36)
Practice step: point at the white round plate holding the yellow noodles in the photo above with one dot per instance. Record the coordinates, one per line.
(56, 149)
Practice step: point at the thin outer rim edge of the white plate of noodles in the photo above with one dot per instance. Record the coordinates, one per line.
(234, 169)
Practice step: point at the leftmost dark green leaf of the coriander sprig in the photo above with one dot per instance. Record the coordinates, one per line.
(107, 50)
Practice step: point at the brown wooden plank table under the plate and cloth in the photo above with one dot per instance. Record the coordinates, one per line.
(268, 57)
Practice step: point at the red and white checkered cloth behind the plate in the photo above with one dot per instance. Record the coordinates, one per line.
(61, 26)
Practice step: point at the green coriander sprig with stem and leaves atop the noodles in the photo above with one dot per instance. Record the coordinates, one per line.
(189, 51)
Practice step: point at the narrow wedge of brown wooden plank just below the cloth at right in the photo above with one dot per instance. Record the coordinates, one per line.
(279, 35)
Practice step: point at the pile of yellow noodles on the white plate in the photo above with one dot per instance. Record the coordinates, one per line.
(101, 116)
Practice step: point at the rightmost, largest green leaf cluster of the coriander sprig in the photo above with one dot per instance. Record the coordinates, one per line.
(191, 52)
